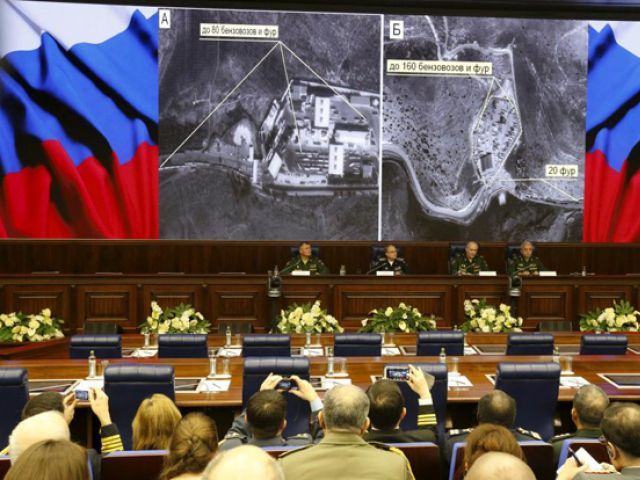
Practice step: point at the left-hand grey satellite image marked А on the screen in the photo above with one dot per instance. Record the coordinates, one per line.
(269, 125)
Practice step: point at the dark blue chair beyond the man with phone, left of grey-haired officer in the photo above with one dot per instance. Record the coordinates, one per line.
(256, 369)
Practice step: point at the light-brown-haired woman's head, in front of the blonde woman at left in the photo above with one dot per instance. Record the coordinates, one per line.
(193, 445)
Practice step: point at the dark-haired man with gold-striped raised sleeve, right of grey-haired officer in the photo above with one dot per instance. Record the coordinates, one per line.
(387, 410)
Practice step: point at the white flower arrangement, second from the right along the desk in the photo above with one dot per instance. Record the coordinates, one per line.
(482, 317)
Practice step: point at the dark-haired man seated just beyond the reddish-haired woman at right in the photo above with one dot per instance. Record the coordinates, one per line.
(494, 407)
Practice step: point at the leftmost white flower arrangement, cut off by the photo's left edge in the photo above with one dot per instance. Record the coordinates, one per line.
(20, 327)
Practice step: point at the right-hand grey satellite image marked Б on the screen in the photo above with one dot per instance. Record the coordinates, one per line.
(488, 157)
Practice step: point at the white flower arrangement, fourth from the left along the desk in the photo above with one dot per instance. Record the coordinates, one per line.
(402, 318)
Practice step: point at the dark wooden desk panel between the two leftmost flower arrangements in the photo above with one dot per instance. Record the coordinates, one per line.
(108, 303)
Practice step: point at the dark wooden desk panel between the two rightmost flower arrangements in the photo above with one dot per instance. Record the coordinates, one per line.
(546, 303)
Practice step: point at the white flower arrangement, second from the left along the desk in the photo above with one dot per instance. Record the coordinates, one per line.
(180, 319)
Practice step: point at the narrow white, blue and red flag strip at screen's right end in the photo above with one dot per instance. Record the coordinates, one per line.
(612, 178)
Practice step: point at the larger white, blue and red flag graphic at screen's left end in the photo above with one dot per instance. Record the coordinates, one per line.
(78, 120)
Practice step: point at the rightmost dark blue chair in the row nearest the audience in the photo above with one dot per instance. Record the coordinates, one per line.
(534, 387)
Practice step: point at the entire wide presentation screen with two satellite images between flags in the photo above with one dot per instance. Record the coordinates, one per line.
(171, 123)
